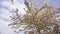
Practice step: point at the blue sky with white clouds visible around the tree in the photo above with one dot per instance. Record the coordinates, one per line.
(6, 6)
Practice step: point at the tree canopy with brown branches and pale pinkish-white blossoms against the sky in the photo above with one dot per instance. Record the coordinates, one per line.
(37, 20)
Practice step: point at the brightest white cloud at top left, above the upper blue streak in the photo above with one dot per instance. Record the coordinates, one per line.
(16, 4)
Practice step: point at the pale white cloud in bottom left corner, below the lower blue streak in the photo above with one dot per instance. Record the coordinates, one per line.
(4, 29)
